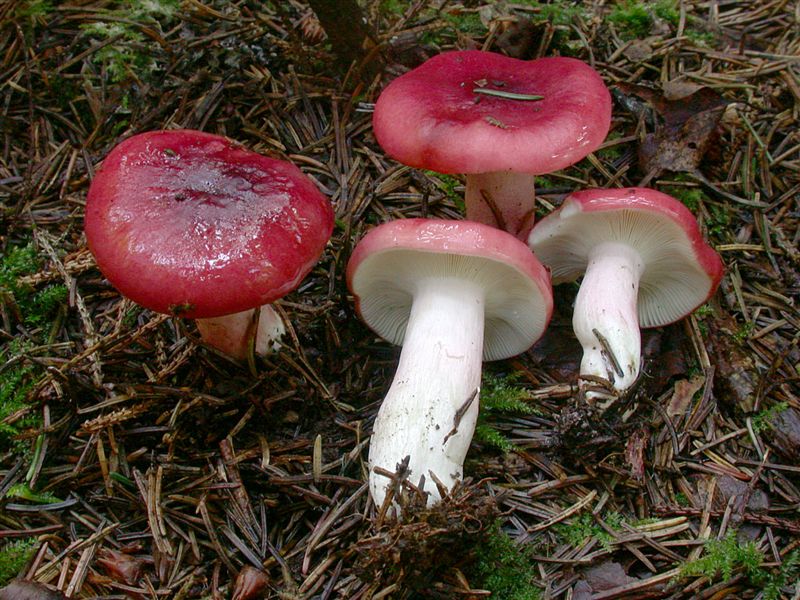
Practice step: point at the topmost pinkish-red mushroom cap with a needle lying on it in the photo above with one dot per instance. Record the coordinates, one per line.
(430, 117)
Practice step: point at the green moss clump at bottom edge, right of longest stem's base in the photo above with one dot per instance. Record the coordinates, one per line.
(504, 567)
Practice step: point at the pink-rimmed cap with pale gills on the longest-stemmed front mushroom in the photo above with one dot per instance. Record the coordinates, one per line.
(390, 259)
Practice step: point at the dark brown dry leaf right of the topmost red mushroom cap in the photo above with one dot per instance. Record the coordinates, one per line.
(688, 128)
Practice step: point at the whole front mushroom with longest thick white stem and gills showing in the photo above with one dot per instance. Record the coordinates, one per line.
(453, 293)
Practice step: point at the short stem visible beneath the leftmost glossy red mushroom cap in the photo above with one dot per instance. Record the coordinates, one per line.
(232, 334)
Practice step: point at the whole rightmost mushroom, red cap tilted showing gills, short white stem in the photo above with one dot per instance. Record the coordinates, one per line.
(645, 264)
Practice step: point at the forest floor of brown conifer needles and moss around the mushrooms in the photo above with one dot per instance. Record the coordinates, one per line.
(137, 463)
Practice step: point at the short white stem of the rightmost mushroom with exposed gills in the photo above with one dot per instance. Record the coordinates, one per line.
(605, 319)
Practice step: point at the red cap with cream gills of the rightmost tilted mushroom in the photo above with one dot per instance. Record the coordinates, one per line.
(681, 271)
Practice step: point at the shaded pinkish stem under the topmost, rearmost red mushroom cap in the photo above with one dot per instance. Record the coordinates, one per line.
(505, 194)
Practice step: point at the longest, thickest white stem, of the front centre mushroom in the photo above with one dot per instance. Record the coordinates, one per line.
(430, 410)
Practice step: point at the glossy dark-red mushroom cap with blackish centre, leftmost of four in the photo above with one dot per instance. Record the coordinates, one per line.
(191, 223)
